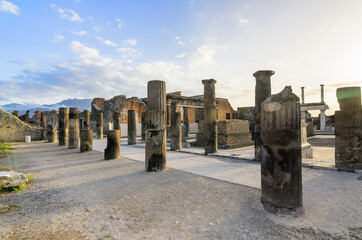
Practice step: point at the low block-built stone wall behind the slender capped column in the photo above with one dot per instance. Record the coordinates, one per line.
(231, 134)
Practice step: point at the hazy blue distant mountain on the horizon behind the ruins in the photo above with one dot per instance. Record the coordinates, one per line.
(81, 104)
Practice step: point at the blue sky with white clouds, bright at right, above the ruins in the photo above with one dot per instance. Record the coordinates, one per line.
(55, 50)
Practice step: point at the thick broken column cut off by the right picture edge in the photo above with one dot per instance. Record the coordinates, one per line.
(348, 128)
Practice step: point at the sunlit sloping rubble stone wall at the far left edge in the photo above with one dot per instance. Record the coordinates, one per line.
(12, 129)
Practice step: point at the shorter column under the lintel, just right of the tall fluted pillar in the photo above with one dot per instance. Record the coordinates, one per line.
(176, 130)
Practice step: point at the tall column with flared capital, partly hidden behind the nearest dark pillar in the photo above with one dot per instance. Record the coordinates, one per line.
(262, 92)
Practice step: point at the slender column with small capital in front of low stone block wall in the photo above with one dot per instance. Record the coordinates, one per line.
(210, 117)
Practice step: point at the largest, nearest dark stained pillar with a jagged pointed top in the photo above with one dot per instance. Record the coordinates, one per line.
(281, 165)
